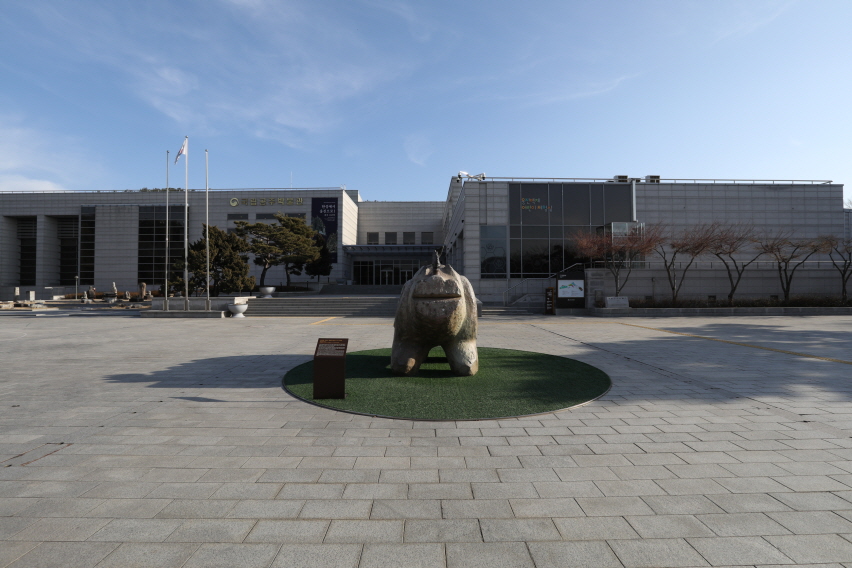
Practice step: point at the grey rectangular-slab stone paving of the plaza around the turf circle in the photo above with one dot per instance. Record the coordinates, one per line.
(170, 443)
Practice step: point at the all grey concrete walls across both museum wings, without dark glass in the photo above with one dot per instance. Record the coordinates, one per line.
(806, 209)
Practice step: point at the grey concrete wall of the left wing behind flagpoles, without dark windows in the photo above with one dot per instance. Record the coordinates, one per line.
(117, 228)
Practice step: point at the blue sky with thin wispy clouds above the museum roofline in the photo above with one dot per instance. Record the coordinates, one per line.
(393, 97)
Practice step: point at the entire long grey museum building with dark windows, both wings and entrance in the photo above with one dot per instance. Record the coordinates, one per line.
(507, 235)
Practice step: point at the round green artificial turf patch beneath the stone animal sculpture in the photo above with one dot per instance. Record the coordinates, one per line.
(509, 383)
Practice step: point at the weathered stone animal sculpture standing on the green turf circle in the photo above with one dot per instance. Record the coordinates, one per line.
(437, 307)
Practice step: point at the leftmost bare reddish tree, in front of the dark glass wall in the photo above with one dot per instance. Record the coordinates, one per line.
(618, 252)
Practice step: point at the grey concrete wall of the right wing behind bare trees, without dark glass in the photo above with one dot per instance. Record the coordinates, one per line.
(807, 210)
